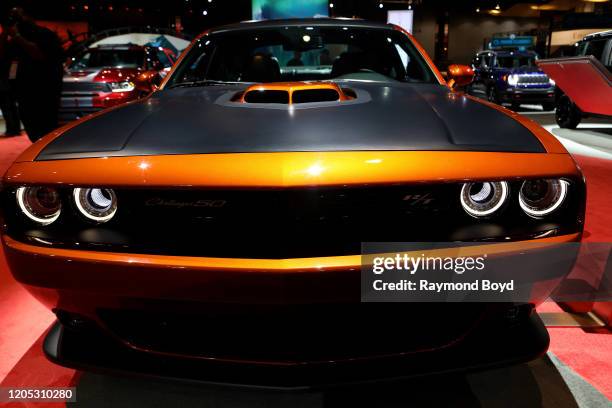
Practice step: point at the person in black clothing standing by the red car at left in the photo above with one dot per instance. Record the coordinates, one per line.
(39, 56)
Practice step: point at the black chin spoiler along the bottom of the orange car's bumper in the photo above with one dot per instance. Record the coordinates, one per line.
(497, 343)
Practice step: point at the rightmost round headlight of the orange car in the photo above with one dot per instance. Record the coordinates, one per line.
(539, 198)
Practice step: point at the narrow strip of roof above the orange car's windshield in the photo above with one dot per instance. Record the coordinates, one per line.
(298, 22)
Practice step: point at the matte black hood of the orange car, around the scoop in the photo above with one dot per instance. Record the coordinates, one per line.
(388, 117)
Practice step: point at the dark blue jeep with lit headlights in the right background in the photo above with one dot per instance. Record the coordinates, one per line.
(504, 76)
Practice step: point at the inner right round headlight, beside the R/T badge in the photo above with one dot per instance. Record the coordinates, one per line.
(483, 199)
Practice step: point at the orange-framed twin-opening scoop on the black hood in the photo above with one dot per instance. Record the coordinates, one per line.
(294, 93)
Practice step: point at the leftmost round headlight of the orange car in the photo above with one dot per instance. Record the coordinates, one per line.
(40, 204)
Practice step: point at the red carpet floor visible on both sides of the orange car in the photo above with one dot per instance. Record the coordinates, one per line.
(22, 362)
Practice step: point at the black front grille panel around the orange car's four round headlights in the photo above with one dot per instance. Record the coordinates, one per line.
(287, 223)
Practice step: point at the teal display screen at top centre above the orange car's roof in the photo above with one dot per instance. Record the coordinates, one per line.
(277, 9)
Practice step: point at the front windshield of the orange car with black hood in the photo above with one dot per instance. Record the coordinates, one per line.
(303, 54)
